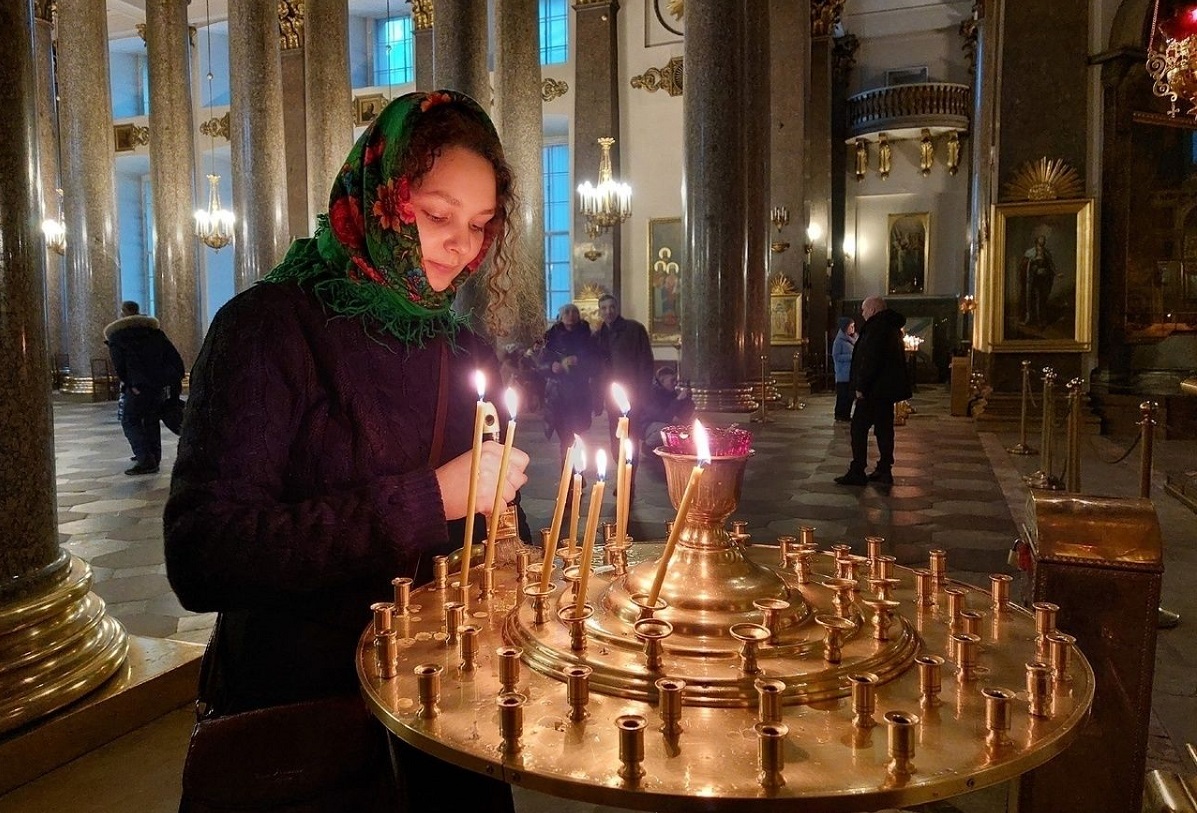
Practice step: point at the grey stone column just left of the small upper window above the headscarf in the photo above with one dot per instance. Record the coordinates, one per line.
(330, 99)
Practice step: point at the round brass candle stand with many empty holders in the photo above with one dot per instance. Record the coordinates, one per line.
(744, 688)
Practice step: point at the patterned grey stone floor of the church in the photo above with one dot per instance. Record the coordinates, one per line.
(957, 489)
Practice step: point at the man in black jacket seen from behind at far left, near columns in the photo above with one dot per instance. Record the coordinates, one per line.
(151, 374)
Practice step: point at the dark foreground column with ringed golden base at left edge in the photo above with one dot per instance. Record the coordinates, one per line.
(44, 591)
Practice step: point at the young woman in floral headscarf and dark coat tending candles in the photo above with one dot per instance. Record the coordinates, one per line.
(326, 445)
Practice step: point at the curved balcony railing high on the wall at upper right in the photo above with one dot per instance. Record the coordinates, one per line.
(938, 105)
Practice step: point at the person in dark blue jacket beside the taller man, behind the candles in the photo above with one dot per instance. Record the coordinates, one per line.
(567, 362)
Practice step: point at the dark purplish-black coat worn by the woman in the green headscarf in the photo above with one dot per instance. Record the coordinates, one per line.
(303, 487)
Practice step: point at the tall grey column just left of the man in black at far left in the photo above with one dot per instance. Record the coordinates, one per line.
(89, 189)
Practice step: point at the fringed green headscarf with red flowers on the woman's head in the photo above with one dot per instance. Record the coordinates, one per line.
(366, 257)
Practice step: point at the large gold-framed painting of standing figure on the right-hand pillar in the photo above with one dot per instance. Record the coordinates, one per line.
(1042, 275)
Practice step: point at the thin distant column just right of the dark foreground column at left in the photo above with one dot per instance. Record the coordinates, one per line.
(48, 144)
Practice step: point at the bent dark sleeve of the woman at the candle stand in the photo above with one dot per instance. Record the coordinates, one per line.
(240, 531)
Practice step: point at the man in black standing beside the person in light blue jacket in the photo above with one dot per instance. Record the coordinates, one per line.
(879, 379)
